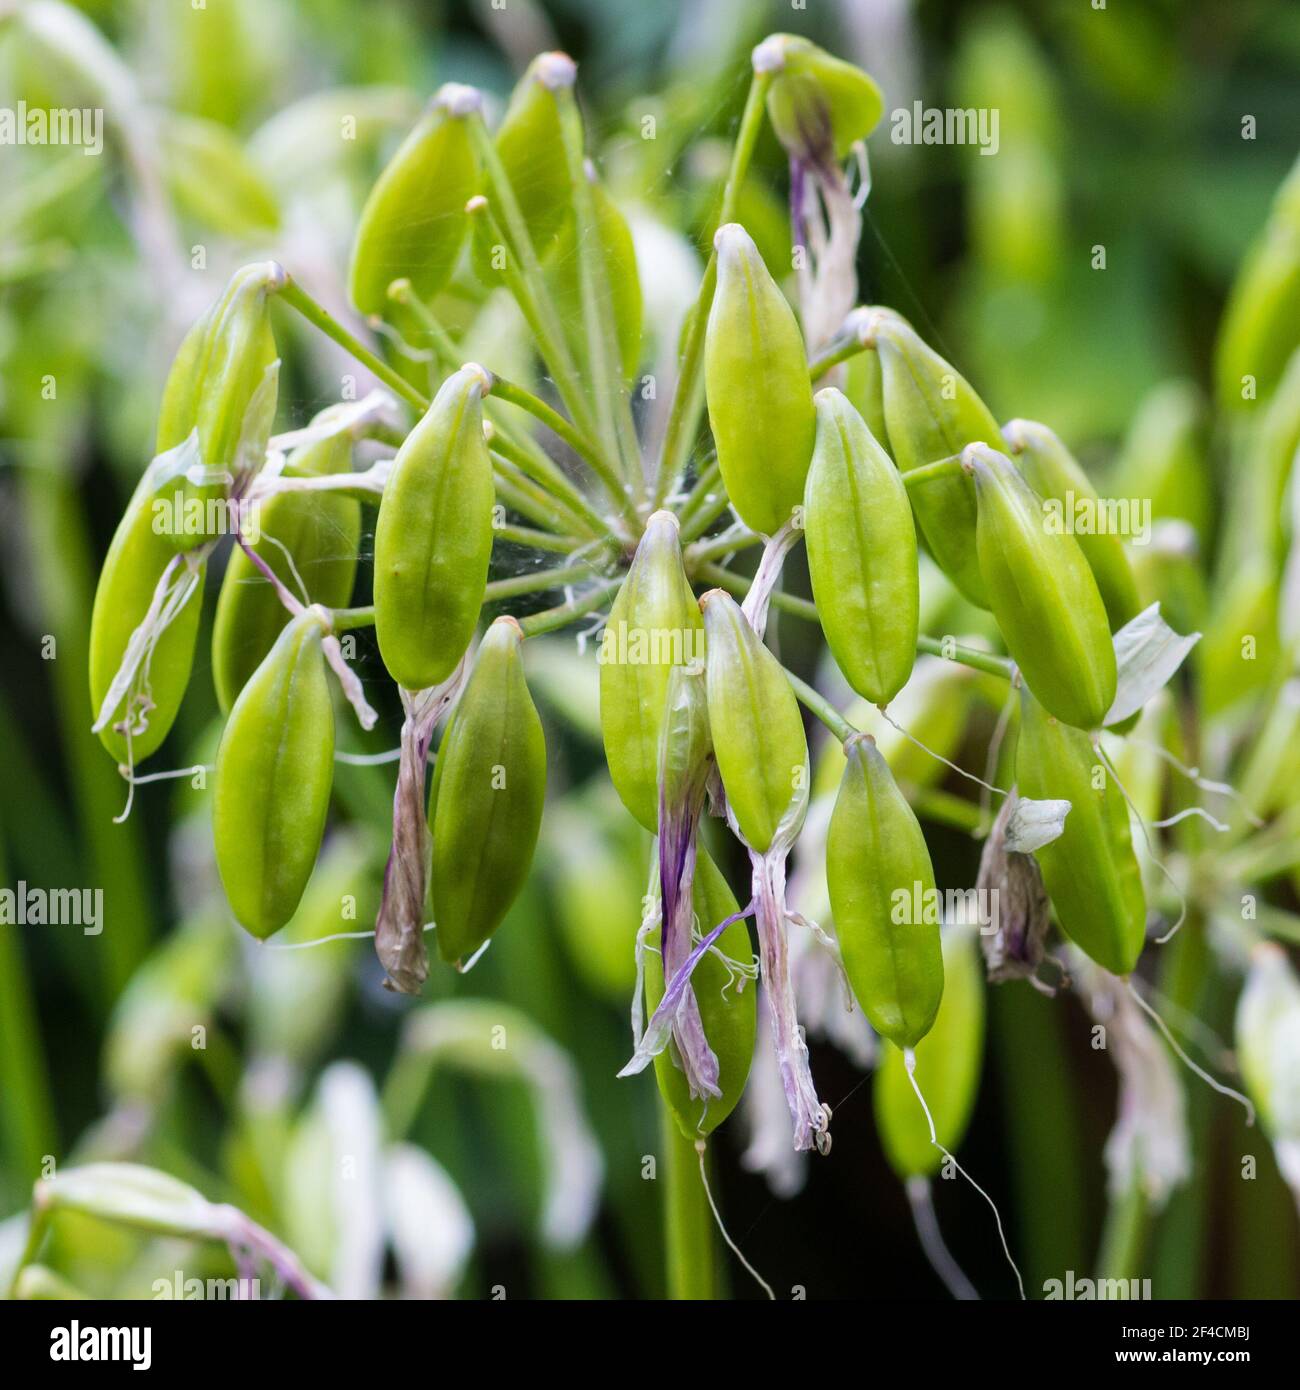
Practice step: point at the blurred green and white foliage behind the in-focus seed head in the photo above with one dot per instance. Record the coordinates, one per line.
(1120, 133)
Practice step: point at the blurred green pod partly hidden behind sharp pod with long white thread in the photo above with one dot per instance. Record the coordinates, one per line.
(948, 1068)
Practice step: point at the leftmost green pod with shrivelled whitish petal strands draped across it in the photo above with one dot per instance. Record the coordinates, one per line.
(136, 564)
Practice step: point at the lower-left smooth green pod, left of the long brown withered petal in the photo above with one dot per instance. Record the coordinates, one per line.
(275, 772)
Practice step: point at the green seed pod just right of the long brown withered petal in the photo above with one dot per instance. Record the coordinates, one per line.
(486, 808)
